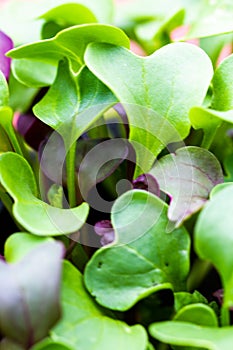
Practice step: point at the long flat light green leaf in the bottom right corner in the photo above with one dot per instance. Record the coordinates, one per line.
(187, 334)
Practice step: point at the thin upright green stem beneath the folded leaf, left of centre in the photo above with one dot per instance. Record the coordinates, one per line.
(71, 178)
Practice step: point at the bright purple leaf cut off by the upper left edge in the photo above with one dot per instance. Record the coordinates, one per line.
(6, 44)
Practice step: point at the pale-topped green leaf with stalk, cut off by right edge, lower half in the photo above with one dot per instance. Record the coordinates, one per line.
(213, 238)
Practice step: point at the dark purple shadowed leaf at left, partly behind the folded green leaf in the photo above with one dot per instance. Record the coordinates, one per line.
(31, 128)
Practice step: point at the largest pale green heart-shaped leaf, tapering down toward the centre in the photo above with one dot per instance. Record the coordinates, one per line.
(157, 91)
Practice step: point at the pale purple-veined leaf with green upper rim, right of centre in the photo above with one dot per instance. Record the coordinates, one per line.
(187, 176)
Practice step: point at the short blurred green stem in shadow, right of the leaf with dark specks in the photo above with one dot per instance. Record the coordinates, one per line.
(199, 271)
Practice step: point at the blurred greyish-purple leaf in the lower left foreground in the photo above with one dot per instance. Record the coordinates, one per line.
(27, 313)
